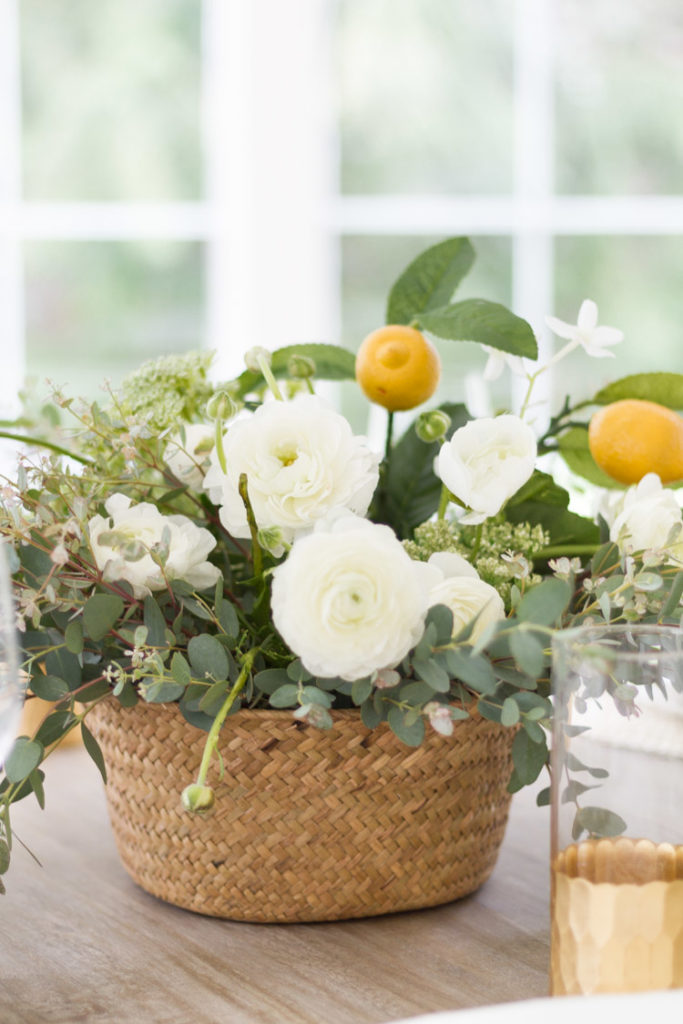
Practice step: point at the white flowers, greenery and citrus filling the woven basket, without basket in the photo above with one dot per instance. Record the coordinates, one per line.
(222, 546)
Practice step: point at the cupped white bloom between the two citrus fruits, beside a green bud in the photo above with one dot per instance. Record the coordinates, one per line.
(486, 462)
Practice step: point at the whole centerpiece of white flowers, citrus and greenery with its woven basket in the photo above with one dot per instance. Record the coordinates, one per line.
(313, 673)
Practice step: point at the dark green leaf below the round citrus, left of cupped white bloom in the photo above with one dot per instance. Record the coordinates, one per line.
(410, 493)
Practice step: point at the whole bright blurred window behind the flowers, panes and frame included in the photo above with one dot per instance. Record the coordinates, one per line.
(181, 174)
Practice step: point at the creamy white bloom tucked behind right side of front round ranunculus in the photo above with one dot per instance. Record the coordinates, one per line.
(466, 595)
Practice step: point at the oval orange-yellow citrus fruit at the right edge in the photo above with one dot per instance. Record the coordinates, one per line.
(633, 438)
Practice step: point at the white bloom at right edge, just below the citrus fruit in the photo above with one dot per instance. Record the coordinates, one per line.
(651, 521)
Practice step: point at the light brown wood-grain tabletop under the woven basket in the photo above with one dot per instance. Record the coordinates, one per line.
(80, 943)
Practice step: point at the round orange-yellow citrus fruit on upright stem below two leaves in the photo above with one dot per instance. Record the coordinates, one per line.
(398, 368)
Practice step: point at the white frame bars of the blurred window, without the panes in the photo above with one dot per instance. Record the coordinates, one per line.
(272, 227)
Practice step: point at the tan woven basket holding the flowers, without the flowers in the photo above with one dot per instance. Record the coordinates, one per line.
(308, 825)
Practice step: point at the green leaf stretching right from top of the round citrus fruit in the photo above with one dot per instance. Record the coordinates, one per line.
(487, 323)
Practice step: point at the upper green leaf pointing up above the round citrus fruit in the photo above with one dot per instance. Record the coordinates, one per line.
(431, 281)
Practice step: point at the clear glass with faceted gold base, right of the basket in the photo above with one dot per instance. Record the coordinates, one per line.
(617, 849)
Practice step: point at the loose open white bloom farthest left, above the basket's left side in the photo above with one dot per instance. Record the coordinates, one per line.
(144, 524)
